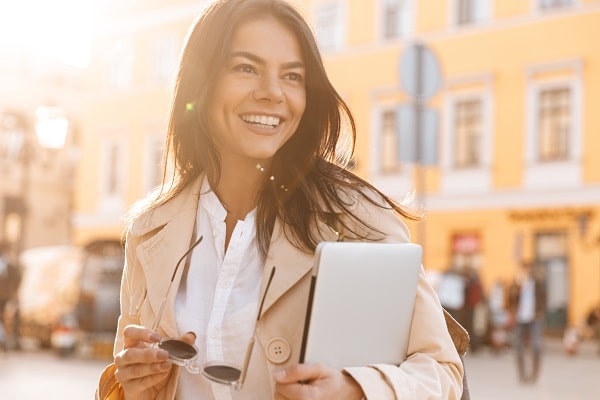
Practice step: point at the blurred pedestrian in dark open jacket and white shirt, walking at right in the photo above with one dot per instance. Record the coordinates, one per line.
(527, 303)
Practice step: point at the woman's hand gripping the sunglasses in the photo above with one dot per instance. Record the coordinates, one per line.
(142, 370)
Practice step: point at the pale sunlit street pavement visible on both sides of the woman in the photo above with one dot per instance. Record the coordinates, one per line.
(29, 375)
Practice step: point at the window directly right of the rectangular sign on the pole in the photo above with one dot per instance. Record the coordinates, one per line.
(468, 126)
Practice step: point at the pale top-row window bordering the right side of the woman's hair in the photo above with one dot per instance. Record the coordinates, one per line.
(329, 26)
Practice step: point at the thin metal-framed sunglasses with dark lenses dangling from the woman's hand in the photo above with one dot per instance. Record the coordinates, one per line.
(185, 355)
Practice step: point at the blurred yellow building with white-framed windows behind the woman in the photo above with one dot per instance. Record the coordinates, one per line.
(514, 175)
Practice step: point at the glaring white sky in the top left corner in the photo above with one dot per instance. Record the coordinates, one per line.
(60, 29)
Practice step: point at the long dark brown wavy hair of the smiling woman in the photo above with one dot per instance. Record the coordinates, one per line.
(311, 164)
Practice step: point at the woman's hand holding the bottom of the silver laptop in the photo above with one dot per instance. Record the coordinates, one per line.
(315, 381)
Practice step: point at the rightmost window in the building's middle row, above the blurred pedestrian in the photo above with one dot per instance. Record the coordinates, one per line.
(554, 124)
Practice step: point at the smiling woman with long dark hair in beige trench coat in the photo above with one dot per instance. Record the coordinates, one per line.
(253, 135)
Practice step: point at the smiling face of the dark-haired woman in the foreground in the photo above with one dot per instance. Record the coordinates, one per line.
(260, 94)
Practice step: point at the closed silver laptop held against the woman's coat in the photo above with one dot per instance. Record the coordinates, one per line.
(361, 304)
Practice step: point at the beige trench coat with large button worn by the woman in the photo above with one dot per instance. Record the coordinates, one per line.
(156, 240)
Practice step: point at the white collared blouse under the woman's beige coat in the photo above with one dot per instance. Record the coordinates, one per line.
(218, 295)
